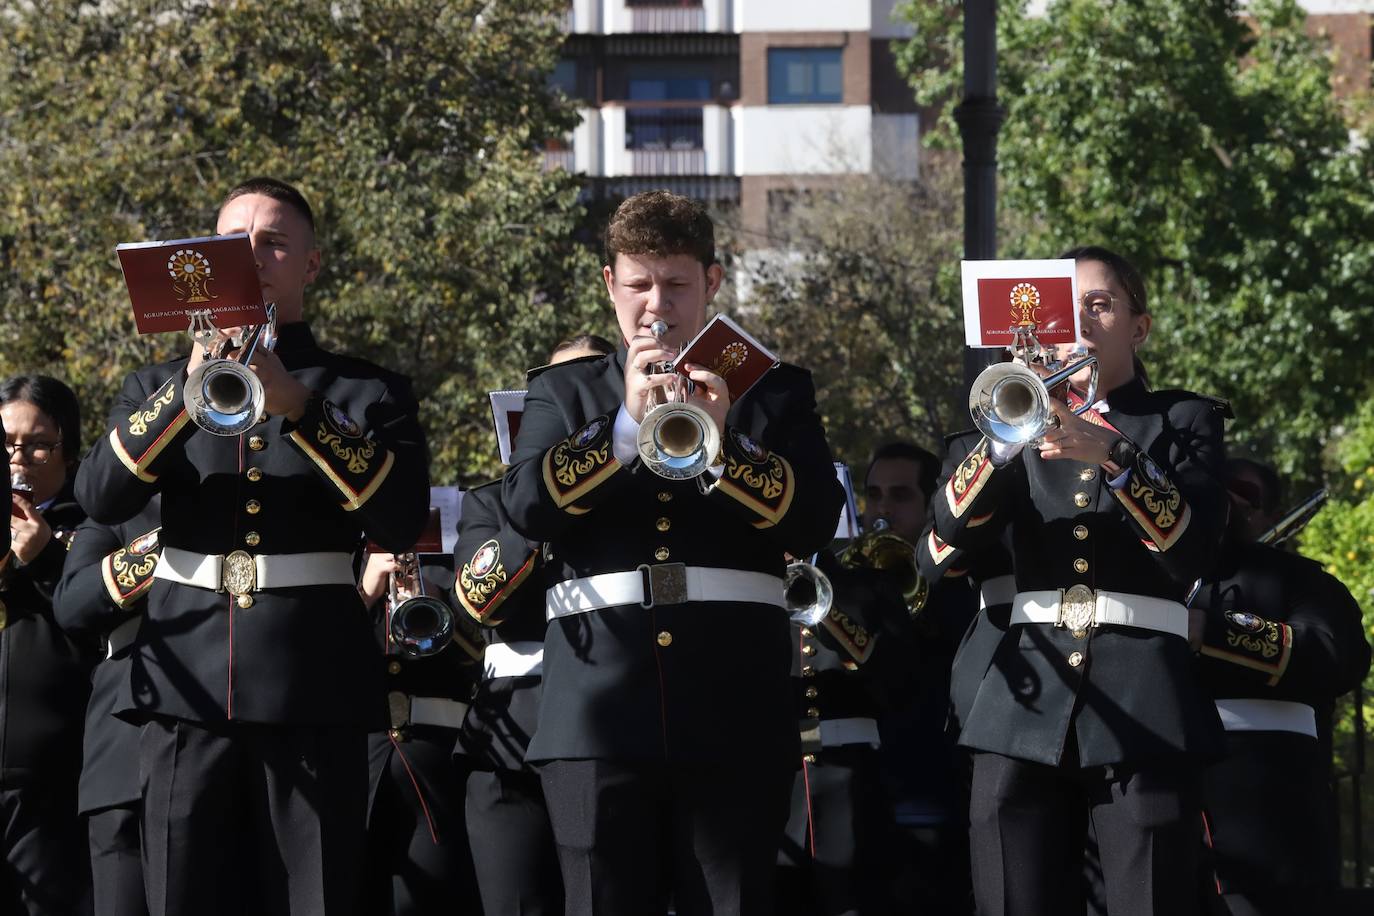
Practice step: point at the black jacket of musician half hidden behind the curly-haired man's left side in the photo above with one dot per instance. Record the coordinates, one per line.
(501, 583)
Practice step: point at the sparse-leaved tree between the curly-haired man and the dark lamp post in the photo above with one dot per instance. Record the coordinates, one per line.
(866, 297)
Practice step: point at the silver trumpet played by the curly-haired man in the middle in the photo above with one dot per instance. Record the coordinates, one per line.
(677, 440)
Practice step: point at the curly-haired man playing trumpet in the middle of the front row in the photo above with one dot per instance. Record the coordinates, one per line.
(667, 735)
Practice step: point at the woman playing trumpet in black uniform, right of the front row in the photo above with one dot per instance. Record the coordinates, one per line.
(1092, 711)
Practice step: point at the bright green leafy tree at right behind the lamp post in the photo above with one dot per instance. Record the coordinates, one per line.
(1213, 153)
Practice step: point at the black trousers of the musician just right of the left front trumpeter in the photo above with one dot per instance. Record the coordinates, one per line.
(418, 858)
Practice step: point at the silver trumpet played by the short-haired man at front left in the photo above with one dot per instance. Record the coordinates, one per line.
(225, 396)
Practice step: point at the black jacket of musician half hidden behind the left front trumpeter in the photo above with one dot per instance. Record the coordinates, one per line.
(105, 584)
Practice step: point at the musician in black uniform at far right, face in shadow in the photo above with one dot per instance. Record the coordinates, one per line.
(1283, 641)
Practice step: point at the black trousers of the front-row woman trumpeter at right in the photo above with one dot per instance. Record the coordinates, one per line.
(1030, 827)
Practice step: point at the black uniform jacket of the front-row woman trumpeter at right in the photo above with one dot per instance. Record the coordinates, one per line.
(1130, 694)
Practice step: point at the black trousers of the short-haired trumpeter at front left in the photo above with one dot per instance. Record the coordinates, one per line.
(252, 819)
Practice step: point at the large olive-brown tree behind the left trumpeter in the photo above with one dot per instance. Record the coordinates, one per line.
(413, 127)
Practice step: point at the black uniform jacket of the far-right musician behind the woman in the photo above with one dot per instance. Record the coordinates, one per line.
(1279, 628)
